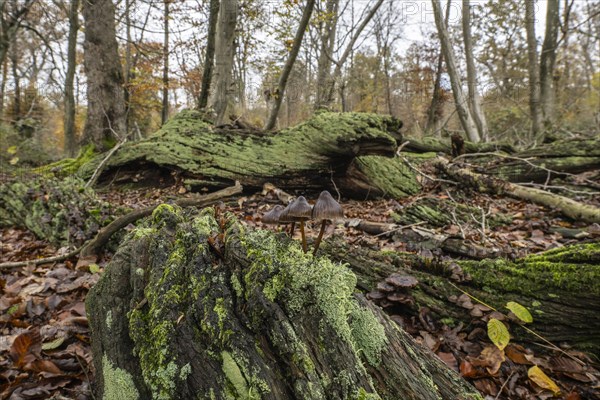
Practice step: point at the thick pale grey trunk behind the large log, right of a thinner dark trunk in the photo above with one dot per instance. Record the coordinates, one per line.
(224, 52)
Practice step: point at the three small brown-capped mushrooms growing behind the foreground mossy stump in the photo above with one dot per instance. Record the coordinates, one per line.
(325, 210)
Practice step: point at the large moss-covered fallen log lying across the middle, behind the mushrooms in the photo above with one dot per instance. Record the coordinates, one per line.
(310, 155)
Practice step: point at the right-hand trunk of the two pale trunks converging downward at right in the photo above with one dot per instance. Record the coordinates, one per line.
(474, 99)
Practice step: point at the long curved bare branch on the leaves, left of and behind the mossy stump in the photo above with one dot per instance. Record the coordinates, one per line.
(93, 246)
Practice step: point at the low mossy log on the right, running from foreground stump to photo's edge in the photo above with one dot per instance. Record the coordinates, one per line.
(561, 287)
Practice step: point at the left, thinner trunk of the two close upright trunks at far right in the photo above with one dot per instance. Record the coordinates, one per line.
(534, 74)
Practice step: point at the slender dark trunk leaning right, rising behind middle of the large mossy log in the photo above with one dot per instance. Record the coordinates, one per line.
(275, 105)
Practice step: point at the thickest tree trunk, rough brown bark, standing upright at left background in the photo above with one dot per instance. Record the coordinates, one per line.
(106, 102)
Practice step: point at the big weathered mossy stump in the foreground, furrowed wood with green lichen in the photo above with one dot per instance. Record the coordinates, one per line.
(193, 306)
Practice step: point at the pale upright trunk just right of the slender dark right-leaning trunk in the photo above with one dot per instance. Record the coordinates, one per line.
(326, 54)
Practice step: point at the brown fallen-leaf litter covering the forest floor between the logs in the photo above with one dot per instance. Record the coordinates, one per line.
(45, 340)
